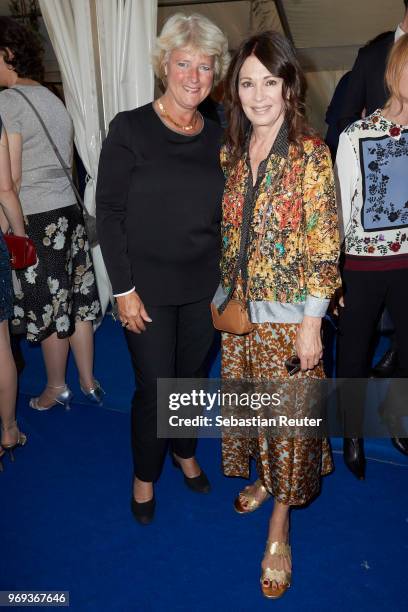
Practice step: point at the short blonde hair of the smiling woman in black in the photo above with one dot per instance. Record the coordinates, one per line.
(195, 32)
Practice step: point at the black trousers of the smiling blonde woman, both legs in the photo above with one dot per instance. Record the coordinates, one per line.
(175, 345)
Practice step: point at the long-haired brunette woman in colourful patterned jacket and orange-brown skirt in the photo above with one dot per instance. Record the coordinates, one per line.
(280, 250)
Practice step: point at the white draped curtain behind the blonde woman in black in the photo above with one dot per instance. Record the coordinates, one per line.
(103, 50)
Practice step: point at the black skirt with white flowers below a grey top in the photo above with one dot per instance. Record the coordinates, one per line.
(60, 288)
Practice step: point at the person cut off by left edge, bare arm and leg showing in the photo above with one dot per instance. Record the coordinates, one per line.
(11, 217)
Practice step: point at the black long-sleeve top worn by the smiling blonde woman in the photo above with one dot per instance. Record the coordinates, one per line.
(158, 208)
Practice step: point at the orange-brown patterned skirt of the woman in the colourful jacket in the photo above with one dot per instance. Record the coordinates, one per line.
(289, 468)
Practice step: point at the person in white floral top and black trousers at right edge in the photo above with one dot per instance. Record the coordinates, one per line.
(371, 164)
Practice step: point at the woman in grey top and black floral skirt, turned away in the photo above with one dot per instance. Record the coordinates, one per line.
(58, 299)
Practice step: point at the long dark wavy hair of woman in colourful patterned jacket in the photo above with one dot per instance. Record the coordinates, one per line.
(277, 54)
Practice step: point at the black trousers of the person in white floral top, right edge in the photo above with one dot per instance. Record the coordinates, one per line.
(365, 295)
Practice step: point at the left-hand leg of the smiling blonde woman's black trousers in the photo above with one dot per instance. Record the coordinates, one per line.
(153, 354)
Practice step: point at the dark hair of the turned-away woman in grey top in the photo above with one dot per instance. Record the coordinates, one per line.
(22, 49)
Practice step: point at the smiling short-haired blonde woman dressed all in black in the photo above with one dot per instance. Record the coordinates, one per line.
(158, 216)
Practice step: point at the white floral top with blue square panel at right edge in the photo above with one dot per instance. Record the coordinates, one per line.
(372, 169)
